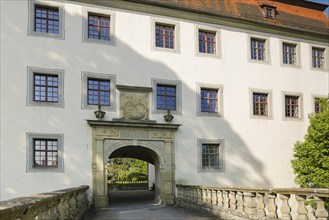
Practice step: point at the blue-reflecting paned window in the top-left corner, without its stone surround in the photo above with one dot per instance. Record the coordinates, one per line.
(46, 19)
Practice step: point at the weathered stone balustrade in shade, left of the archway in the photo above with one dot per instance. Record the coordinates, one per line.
(62, 204)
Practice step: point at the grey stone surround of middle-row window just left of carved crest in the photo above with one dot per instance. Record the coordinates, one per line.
(84, 77)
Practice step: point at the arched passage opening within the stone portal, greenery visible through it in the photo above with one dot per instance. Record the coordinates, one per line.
(132, 174)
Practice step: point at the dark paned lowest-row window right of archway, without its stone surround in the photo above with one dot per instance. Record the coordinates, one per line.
(210, 156)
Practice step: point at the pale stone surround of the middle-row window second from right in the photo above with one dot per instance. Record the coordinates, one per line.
(300, 106)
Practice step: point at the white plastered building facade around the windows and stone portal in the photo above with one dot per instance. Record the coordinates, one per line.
(257, 151)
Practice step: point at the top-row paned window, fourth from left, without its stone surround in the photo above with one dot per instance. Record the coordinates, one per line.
(207, 42)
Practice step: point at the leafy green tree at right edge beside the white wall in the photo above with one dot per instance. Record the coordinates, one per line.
(311, 163)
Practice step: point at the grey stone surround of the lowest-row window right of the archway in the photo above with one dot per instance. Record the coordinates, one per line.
(221, 143)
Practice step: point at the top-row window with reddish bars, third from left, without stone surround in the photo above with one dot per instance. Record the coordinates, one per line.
(165, 36)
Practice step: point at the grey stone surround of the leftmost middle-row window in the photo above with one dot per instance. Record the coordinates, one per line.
(30, 87)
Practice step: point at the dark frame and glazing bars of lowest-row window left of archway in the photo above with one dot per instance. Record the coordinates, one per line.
(46, 151)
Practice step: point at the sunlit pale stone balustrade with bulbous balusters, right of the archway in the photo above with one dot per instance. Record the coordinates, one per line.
(254, 203)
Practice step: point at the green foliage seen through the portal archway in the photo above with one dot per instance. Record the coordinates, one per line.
(127, 169)
